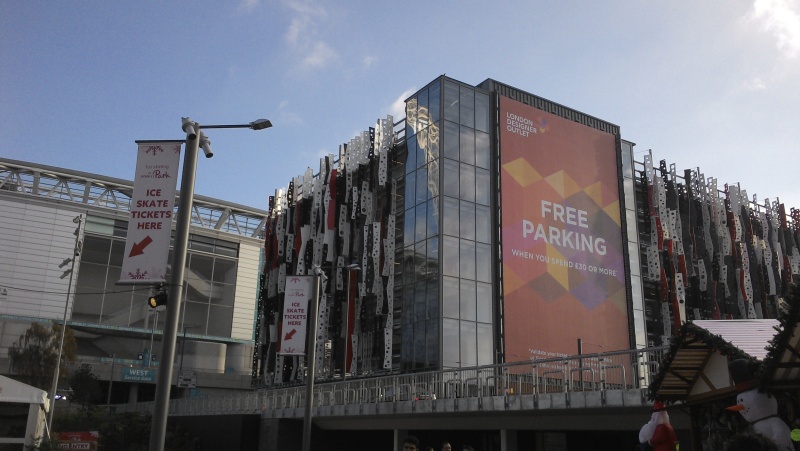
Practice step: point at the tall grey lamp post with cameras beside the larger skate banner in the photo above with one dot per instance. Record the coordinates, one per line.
(195, 139)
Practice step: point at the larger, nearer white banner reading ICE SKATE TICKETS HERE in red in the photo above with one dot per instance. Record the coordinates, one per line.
(152, 207)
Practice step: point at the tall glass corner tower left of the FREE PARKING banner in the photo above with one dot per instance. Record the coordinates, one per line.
(448, 206)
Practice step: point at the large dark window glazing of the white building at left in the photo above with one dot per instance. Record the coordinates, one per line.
(209, 294)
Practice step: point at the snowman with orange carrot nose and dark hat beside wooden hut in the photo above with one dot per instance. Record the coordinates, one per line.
(758, 409)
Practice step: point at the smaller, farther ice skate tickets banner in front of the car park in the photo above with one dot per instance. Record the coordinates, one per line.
(295, 315)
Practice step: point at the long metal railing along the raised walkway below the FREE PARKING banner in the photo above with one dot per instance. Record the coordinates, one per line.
(620, 370)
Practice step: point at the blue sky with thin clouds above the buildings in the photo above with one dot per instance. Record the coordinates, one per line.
(709, 84)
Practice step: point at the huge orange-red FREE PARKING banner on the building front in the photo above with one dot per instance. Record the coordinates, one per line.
(563, 273)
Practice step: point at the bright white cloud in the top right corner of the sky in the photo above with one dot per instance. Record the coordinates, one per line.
(781, 18)
